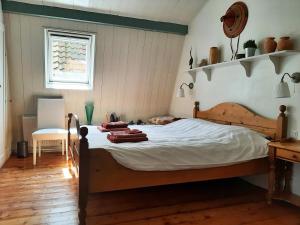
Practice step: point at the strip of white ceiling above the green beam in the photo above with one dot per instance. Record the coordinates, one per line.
(175, 11)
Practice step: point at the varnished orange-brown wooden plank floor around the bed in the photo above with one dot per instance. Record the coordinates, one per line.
(47, 194)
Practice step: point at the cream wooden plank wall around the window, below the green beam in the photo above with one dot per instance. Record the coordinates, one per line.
(135, 70)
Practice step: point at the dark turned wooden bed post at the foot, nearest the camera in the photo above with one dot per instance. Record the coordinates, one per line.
(83, 175)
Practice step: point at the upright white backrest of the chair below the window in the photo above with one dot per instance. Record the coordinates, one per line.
(51, 113)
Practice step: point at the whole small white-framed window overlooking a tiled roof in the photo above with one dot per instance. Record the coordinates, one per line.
(69, 59)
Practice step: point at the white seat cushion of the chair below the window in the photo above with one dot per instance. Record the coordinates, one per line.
(50, 134)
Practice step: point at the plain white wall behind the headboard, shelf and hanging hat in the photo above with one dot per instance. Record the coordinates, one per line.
(266, 18)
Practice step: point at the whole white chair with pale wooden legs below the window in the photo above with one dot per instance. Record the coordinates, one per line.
(51, 125)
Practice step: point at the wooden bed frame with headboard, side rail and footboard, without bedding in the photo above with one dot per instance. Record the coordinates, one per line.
(99, 172)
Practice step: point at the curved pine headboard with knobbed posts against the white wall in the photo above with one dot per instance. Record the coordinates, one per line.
(235, 114)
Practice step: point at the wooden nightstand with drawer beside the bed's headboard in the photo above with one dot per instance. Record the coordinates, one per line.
(282, 156)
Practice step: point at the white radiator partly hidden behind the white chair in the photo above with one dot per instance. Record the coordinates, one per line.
(29, 126)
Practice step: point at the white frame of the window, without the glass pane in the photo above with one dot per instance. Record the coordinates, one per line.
(49, 35)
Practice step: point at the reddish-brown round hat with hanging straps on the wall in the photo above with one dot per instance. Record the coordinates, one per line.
(234, 22)
